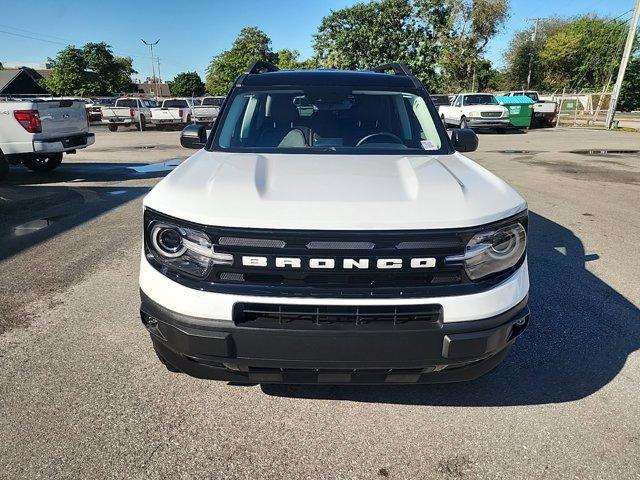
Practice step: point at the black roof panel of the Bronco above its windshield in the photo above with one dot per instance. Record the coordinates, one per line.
(327, 77)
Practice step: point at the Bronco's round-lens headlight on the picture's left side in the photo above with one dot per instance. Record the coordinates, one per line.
(184, 249)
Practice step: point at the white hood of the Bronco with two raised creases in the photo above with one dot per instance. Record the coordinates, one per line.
(333, 192)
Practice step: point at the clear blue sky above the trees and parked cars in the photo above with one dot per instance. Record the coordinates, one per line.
(192, 32)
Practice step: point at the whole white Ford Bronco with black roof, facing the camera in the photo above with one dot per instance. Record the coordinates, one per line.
(355, 244)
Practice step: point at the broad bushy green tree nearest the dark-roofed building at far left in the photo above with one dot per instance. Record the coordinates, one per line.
(90, 71)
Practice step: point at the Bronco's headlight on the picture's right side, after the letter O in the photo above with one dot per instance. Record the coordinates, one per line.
(493, 251)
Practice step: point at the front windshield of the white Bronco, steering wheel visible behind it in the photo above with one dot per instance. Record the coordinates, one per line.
(328, 118)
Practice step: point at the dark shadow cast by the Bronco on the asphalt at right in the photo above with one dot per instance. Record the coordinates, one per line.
(580, 336)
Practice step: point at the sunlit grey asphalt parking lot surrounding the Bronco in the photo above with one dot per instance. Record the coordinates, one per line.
(82, 394)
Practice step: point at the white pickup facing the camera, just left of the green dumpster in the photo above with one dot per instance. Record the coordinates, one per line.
(475, 110)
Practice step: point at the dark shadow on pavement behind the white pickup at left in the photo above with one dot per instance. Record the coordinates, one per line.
(32, 211)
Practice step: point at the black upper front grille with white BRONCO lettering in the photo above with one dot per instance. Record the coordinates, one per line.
(279, 262)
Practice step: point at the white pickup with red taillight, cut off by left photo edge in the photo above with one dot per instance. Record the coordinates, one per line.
(36, 133)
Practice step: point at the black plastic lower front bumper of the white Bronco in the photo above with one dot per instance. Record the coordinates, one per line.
(221, 350)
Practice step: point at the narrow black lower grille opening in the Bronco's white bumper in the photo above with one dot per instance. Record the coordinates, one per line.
(301, 317)
